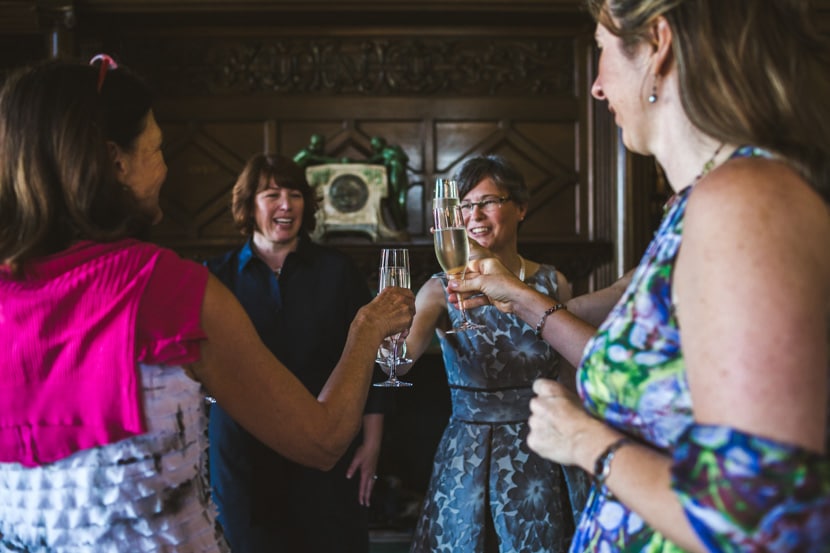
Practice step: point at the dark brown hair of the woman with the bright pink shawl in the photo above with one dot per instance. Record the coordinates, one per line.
(57, 178)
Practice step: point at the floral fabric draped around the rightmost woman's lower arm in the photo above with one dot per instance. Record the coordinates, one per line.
(777, 496)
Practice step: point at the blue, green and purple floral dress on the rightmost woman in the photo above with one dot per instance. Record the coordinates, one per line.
(740, 492)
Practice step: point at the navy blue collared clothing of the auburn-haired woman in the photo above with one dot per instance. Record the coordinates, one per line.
(266, 502)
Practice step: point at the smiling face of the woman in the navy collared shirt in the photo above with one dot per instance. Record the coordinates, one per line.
(278, 213)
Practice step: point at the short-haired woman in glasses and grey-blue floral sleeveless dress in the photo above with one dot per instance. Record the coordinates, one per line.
(488, 491)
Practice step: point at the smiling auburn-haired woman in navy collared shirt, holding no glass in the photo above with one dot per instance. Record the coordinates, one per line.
(301, 297)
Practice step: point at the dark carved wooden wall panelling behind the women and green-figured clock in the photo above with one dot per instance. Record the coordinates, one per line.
(444, 80)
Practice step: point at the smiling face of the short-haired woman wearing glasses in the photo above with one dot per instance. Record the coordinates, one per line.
(494, 228)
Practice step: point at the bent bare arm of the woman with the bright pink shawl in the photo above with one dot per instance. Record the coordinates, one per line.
(262, 395)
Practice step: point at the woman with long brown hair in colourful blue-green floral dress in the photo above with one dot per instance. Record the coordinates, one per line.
(703, 397)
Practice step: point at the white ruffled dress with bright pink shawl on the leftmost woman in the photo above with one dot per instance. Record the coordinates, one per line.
(140, 492)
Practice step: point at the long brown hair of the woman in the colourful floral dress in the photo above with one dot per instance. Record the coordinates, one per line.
(751, 72)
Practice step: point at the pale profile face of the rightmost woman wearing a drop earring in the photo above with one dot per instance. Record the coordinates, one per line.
(624, 81)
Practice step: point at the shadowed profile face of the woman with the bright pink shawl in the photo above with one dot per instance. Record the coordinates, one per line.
(143, 169)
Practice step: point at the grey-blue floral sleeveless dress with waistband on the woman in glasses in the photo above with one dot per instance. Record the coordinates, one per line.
(483, 467)
